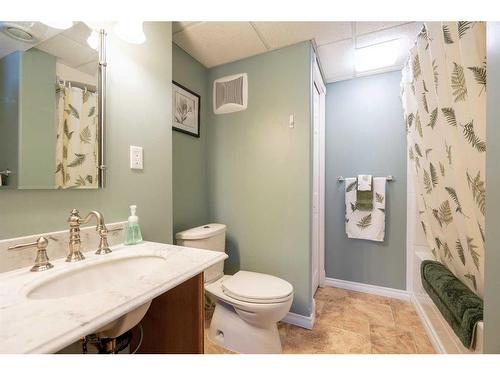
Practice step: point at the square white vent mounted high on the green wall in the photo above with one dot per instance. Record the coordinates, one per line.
(231, 93)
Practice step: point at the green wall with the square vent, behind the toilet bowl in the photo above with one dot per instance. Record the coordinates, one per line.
(260, 169)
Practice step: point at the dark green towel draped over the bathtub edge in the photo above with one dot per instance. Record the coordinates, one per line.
(459, 305)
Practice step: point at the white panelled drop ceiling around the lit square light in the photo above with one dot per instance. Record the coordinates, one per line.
(216, 43)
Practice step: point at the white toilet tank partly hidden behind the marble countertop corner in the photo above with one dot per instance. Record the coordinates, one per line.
(209, 237)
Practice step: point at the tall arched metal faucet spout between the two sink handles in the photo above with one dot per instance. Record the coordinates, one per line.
(75, 243)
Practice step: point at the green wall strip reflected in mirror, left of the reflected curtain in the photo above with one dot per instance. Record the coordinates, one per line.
(37, 122)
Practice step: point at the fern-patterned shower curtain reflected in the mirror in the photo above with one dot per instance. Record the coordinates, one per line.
(77, 139)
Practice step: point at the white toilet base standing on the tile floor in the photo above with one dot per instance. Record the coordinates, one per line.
(229, 330)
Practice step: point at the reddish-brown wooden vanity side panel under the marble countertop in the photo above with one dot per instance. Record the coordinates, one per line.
(174, 323)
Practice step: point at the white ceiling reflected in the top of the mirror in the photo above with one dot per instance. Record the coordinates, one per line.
(69, 46)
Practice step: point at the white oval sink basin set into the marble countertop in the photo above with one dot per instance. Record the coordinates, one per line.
(94, 277)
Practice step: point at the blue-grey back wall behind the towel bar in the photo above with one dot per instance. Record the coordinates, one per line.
(365, 134)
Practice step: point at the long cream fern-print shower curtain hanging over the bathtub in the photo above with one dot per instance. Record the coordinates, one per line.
(444, 100)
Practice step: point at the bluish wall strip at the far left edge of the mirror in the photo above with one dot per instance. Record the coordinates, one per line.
(10, 67)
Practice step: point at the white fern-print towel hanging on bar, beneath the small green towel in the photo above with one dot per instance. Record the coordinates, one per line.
(367, 225)
